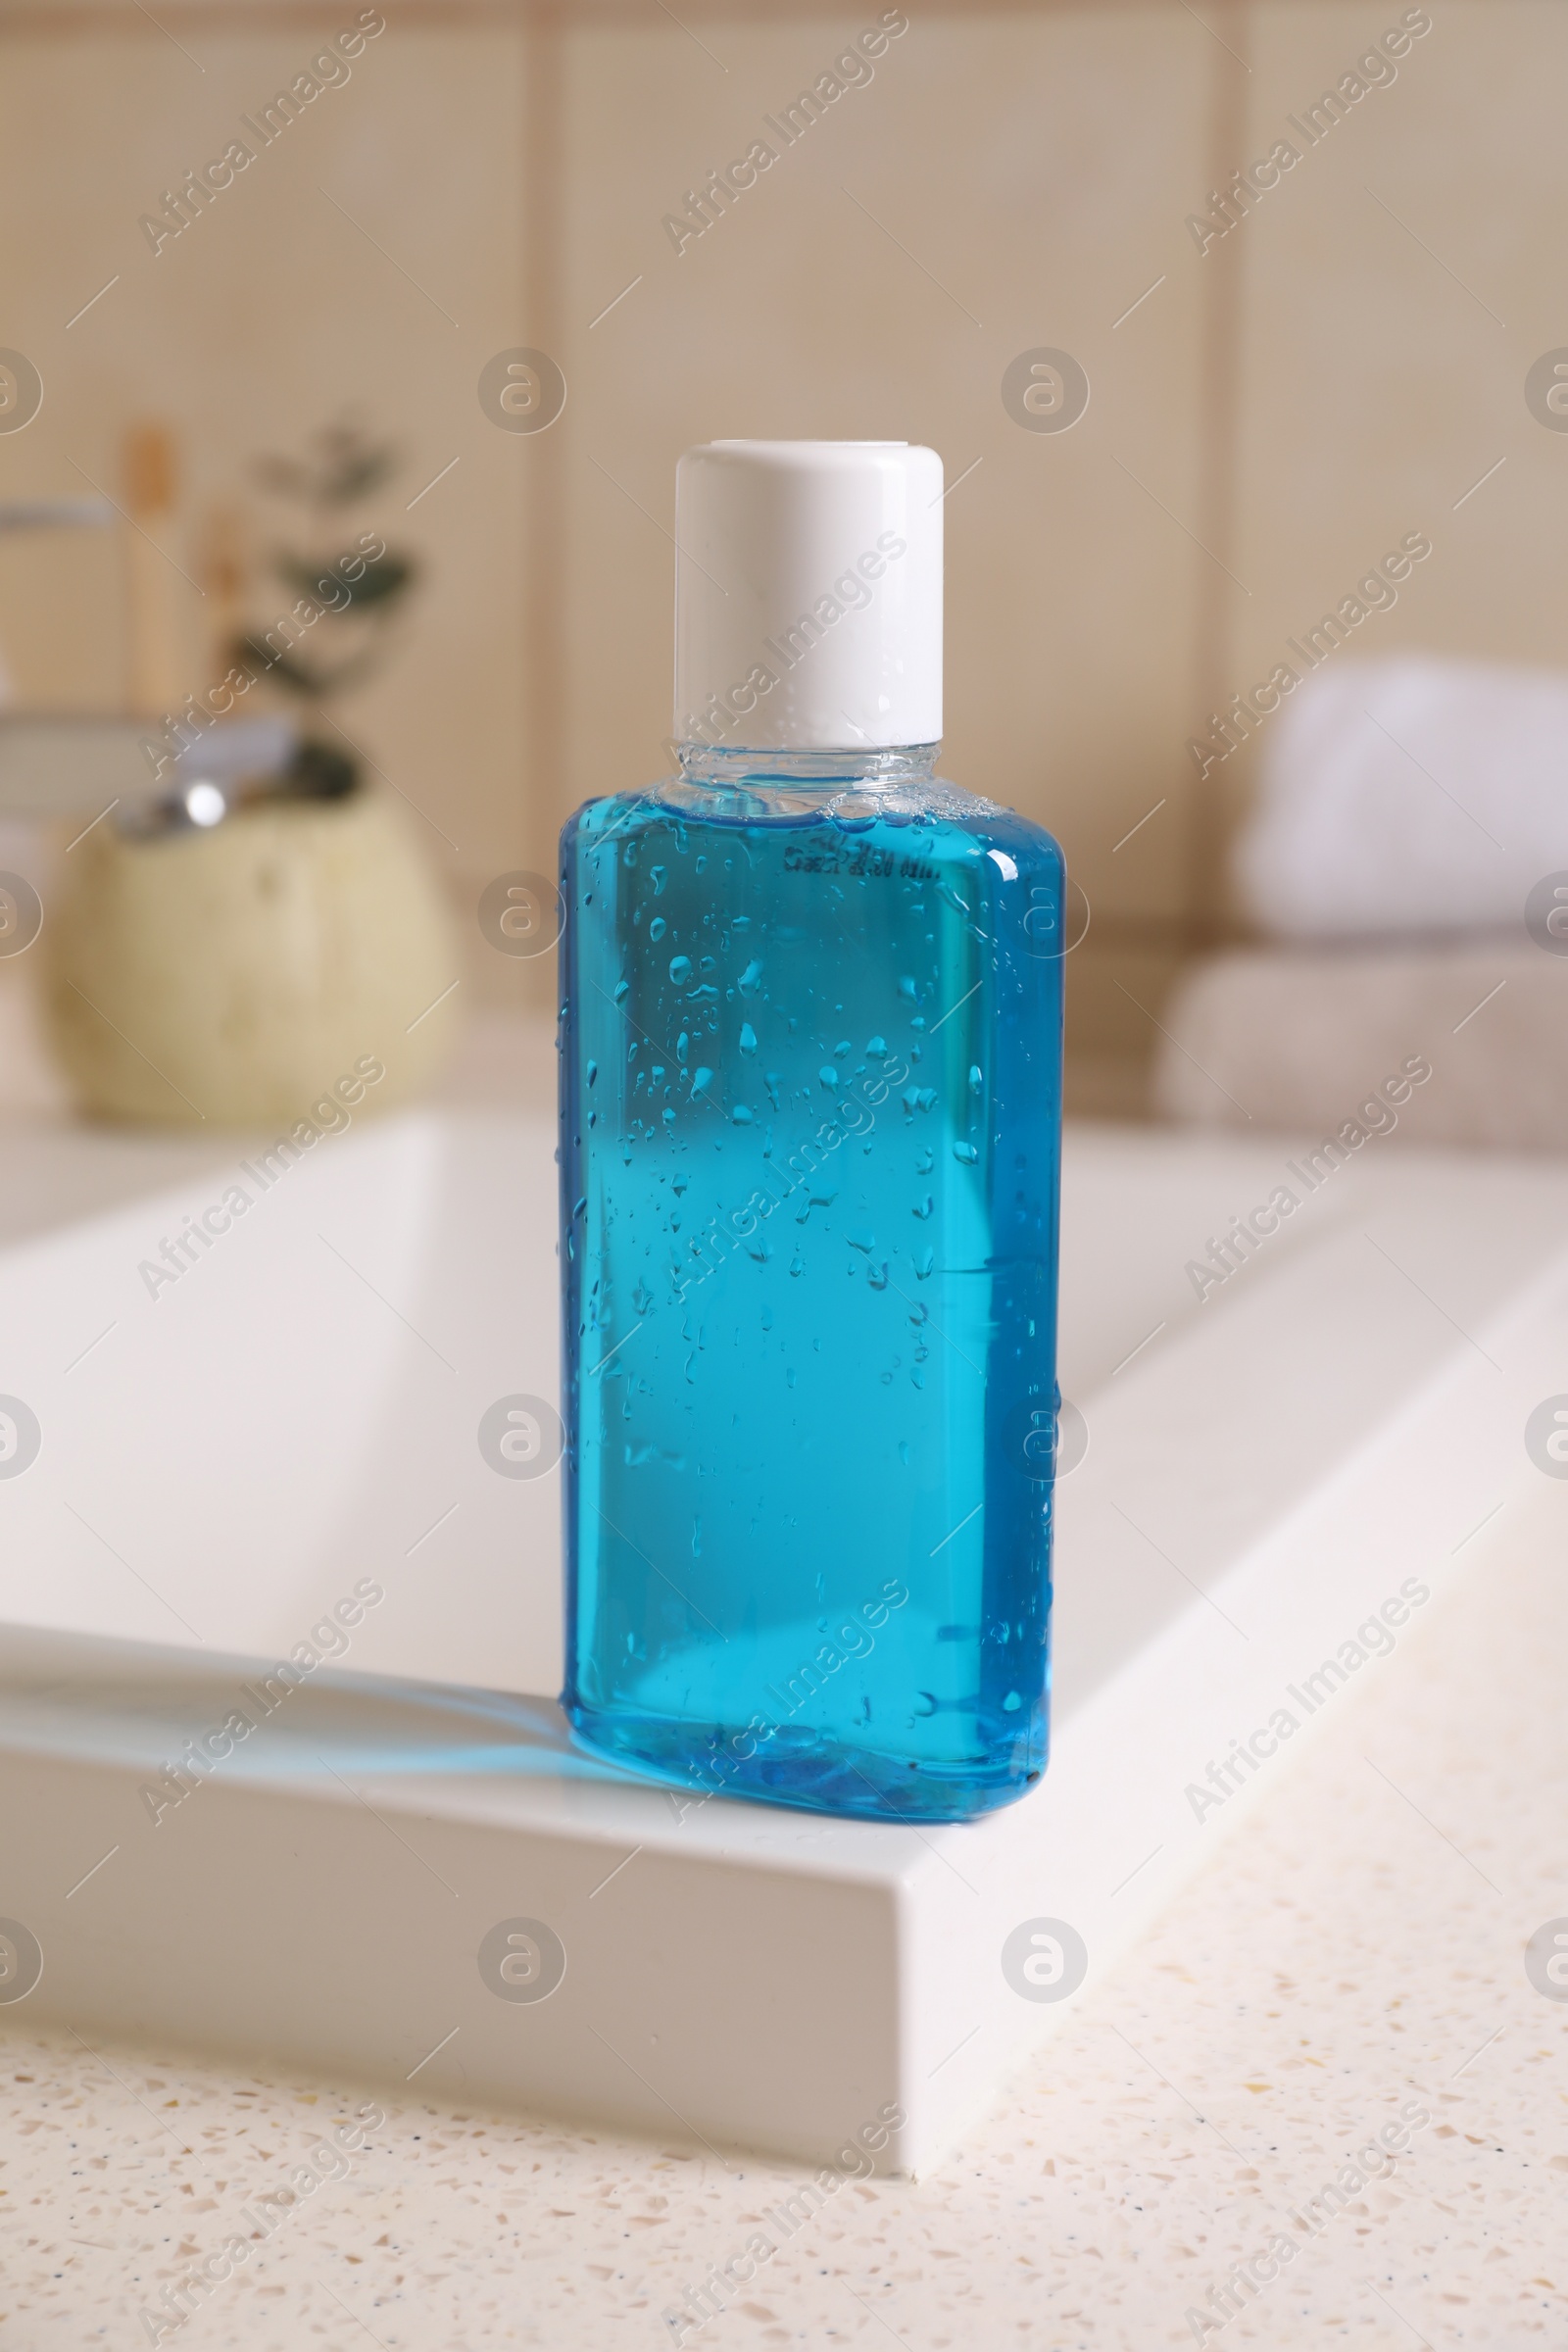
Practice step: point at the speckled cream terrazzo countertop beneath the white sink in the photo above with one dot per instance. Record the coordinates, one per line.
(1355, 1949)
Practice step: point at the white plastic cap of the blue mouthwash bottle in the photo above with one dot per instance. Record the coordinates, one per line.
(810, 596)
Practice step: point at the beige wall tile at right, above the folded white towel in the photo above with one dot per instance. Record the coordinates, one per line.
(1400, 283)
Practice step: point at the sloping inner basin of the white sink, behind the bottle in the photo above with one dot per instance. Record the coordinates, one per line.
(227, 1452)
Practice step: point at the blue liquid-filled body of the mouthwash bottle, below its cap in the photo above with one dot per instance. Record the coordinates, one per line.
(810, 1205)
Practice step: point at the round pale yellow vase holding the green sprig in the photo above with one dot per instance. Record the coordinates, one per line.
(234, 977)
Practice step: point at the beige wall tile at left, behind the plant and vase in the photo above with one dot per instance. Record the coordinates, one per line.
(262, 321)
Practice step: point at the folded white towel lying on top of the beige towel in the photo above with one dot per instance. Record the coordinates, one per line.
(1409, 796)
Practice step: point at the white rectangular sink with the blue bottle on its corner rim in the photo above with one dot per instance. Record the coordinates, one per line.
(225, 1462)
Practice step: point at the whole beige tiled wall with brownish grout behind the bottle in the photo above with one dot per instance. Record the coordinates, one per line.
(1329, 375)
